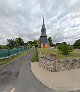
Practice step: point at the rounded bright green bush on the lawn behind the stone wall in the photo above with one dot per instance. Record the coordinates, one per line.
(65, 48)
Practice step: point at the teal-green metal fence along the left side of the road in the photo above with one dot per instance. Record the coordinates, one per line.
(4, 53)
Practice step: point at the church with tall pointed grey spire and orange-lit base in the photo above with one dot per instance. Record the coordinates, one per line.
(43, 37)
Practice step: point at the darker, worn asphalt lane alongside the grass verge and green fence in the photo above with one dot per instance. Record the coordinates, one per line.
(9, 73)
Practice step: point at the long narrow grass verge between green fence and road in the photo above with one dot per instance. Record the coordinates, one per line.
(7, 60)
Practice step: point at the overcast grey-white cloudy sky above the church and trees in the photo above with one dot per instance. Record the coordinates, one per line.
(23, 18)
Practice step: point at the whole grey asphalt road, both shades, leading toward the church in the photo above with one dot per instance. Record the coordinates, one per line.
(18, 75)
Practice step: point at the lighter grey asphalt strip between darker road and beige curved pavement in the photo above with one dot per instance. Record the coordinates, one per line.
(27, 82)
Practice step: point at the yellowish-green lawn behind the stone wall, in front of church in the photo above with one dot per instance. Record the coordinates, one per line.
(47, 51)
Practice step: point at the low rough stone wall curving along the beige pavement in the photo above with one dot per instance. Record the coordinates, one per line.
(54, 65)
